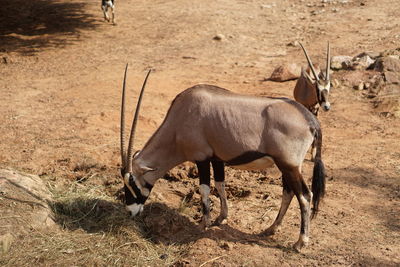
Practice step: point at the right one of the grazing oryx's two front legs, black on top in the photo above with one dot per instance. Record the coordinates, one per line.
(219, 177)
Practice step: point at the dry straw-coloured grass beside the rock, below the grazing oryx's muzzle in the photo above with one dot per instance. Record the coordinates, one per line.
(94, 231)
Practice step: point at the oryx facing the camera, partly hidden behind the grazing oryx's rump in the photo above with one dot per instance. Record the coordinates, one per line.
(311, 91)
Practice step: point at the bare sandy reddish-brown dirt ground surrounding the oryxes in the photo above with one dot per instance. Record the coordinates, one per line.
(60, 81)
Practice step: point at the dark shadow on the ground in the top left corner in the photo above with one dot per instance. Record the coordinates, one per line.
(29, 25)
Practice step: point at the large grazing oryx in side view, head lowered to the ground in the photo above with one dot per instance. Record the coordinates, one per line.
(207, 124)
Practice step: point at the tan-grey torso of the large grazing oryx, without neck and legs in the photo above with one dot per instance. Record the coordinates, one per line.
(227, 125)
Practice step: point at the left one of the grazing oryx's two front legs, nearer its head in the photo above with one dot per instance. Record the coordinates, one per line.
(204, 173)
